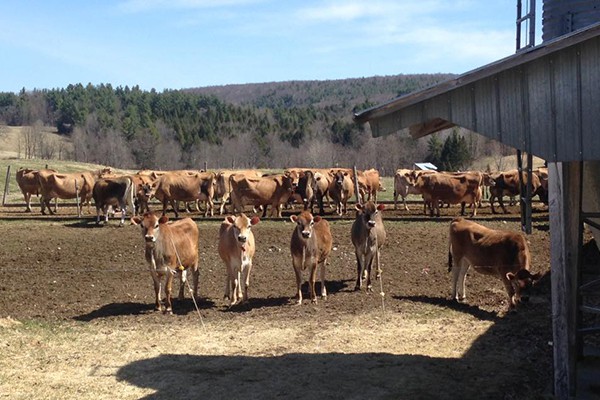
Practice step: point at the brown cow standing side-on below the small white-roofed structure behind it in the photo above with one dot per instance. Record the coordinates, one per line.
(450, 188)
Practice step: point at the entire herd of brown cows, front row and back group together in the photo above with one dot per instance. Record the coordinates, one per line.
(171, 248)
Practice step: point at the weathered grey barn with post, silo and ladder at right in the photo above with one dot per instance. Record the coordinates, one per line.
(543, 100)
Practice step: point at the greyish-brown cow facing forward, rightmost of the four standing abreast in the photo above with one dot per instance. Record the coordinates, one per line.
(368, 235)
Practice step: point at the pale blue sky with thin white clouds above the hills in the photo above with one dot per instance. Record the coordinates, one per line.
(174, 44)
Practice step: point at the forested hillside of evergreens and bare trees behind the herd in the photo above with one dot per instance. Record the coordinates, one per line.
(276, 124)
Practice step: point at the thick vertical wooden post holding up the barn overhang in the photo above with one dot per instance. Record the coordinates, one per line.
(564, 203)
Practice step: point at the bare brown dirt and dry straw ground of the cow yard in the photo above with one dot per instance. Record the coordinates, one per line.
(77, 320)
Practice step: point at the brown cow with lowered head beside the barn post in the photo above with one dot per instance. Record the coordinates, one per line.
(500, 253)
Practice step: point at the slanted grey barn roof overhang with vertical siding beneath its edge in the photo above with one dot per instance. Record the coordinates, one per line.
(544, 100)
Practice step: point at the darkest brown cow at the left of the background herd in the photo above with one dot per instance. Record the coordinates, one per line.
(115, 192)
